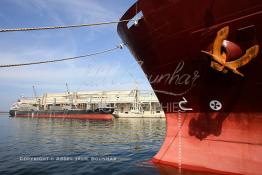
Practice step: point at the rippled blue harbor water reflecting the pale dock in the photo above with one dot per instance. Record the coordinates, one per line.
(57, 146)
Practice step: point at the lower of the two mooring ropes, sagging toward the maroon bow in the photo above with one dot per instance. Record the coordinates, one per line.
(63, 59)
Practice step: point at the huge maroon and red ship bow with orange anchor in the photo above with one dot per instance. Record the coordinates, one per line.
(203, 60)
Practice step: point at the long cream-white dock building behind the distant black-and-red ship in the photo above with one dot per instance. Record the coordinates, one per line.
(132, 103)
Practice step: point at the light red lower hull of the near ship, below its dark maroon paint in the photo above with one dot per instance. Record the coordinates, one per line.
(237, 150)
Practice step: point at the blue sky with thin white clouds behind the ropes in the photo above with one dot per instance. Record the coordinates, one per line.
(113, 71)
